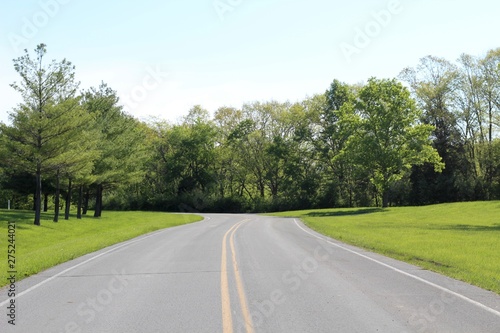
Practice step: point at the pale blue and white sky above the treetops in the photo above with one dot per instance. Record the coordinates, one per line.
(164, 57)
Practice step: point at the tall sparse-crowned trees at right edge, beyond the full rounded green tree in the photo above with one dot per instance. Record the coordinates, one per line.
(461, 102)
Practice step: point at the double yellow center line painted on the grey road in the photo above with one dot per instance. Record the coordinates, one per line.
(227, 319)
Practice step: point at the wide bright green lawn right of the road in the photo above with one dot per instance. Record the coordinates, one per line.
(461, 240)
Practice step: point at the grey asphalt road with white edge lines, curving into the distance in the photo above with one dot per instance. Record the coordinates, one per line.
(245, 273)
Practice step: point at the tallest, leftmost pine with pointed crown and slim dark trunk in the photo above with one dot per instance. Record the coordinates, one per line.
(41, 124)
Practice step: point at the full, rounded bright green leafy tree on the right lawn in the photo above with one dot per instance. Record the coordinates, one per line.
(390, 138)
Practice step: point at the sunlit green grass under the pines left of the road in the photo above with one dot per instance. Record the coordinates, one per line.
(39, 248)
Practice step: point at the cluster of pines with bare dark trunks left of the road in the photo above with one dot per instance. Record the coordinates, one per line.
(62, 138)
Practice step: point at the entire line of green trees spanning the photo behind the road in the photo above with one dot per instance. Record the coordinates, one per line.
(429, 136)
